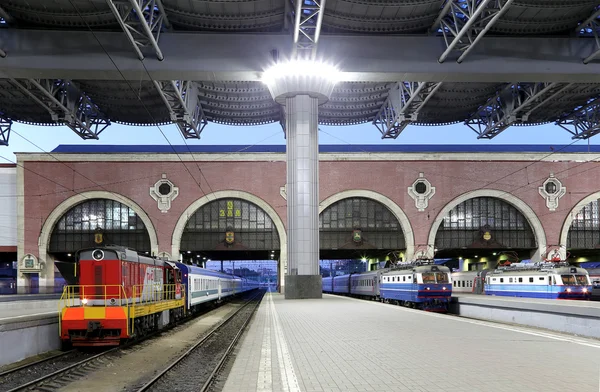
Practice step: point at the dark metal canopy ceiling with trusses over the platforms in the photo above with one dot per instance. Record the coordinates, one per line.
(463, 31)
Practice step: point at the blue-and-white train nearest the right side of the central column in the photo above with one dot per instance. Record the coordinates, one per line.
(420, 285)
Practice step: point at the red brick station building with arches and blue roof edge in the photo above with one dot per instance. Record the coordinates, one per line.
(470, 206)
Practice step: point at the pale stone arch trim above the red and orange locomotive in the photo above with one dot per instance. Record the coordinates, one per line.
(71, 202)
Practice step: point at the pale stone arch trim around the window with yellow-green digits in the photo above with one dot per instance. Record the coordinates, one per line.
(266, 207)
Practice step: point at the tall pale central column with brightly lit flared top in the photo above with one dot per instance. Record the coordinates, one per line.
(301, 88)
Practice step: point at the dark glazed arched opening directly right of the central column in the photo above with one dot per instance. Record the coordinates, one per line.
(356, 233)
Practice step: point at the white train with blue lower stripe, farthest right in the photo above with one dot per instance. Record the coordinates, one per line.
(551, 280)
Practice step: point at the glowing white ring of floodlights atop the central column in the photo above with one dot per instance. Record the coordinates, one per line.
(301, 68)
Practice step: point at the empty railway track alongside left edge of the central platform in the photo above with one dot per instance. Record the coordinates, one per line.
(201, 364)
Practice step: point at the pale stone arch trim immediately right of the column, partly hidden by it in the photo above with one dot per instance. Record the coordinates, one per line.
(409, 238)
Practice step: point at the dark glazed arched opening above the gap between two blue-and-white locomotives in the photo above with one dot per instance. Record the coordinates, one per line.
(480, 232)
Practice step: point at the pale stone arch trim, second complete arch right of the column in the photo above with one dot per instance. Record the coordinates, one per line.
(528, 213)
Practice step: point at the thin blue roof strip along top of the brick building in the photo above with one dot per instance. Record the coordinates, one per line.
(342, 148)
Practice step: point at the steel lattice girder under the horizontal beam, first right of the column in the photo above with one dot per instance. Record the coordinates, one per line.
(402, 106)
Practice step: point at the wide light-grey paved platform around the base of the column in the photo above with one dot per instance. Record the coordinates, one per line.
(344, 344)
